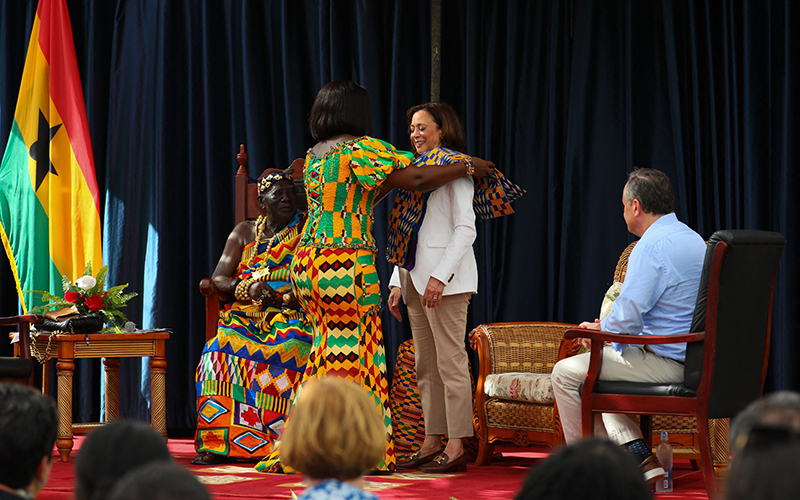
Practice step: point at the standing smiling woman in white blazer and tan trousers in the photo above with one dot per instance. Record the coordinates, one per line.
(438, 277)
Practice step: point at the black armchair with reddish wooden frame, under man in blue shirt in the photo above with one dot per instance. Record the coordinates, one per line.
(727, 350)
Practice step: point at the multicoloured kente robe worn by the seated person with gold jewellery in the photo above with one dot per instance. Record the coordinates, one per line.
(248, 373)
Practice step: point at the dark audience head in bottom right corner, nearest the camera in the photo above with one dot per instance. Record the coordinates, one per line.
(767, 466)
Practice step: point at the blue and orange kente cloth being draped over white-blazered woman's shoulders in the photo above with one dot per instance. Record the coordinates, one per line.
(493, 197)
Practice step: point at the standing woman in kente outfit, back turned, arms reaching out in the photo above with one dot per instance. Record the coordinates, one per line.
(333, 272)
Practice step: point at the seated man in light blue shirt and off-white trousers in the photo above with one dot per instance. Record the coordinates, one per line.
(657, 298)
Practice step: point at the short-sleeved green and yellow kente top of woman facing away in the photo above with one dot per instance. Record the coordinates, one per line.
(340, 189)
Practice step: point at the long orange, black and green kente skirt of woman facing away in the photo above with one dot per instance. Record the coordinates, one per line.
(340, 292)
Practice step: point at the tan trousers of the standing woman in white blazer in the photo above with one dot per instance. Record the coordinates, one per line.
(441, 361)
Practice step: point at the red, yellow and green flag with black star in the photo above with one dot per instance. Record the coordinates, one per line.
(49, 202)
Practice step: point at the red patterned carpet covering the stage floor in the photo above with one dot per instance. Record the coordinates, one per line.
(500, 480)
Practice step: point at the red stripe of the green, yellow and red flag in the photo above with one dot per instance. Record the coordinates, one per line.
(55, 40)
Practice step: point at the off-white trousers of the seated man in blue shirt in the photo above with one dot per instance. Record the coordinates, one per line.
(635, 364)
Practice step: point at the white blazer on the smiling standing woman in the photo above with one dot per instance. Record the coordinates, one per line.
(444, 243)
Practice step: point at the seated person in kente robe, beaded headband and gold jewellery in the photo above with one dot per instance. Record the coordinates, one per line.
(248, 373)
